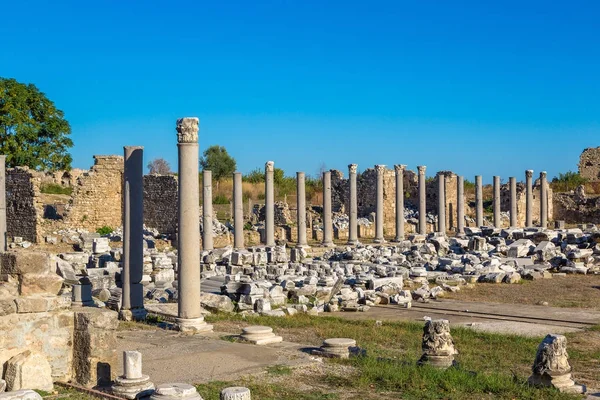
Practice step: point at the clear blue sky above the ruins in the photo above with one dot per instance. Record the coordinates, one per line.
(476, 87)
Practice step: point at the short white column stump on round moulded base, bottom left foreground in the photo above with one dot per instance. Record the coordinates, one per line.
(132, 384)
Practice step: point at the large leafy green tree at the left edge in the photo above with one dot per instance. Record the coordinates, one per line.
(33, 132)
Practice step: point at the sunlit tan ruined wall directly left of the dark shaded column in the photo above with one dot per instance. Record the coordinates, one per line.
(96, 199)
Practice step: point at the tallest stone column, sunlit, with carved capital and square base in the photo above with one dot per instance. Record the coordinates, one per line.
(189, 315)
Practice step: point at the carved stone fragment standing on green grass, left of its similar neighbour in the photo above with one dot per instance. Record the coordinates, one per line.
(438, 346)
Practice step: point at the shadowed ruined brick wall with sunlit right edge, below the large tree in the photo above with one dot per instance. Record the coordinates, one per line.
(24, 210)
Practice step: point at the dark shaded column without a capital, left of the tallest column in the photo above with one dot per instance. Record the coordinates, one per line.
(133, 238)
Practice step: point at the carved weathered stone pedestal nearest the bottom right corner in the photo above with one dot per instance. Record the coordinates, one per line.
(551, 366)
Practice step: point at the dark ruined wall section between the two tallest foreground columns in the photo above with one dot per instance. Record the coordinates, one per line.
(160, 202)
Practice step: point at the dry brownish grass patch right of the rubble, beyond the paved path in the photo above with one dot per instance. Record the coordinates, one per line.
(582, 291)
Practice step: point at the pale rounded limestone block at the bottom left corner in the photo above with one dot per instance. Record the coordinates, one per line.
(28, 370)
